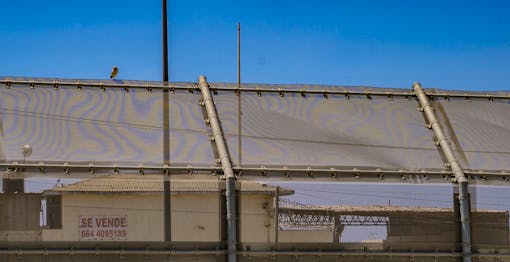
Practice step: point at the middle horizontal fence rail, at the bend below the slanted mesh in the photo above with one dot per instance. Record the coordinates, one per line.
(269, 173)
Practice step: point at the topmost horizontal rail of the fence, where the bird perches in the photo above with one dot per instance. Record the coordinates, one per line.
(282, 89)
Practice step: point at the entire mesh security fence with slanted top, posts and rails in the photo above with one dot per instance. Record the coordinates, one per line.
(326, 172)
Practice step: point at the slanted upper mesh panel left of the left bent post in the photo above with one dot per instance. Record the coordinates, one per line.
(90, 125)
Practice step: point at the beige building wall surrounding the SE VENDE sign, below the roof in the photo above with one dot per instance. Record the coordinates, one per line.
(195, 217)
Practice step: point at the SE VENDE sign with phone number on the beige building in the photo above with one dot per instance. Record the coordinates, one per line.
(103, 227)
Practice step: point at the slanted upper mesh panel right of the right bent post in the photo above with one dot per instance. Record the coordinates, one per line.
(479, 131)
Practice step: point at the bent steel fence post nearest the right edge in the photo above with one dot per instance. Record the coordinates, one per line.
(460, 178)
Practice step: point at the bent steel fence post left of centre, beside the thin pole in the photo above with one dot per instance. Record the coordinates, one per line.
(226, 165)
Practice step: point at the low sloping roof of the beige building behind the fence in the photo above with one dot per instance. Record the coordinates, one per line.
(130, 183)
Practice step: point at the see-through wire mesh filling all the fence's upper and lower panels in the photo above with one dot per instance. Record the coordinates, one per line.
(277, 128)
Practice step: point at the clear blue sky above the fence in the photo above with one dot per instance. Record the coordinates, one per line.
(444, 44)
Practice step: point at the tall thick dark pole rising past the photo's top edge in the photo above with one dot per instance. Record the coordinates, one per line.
(166, 129)
